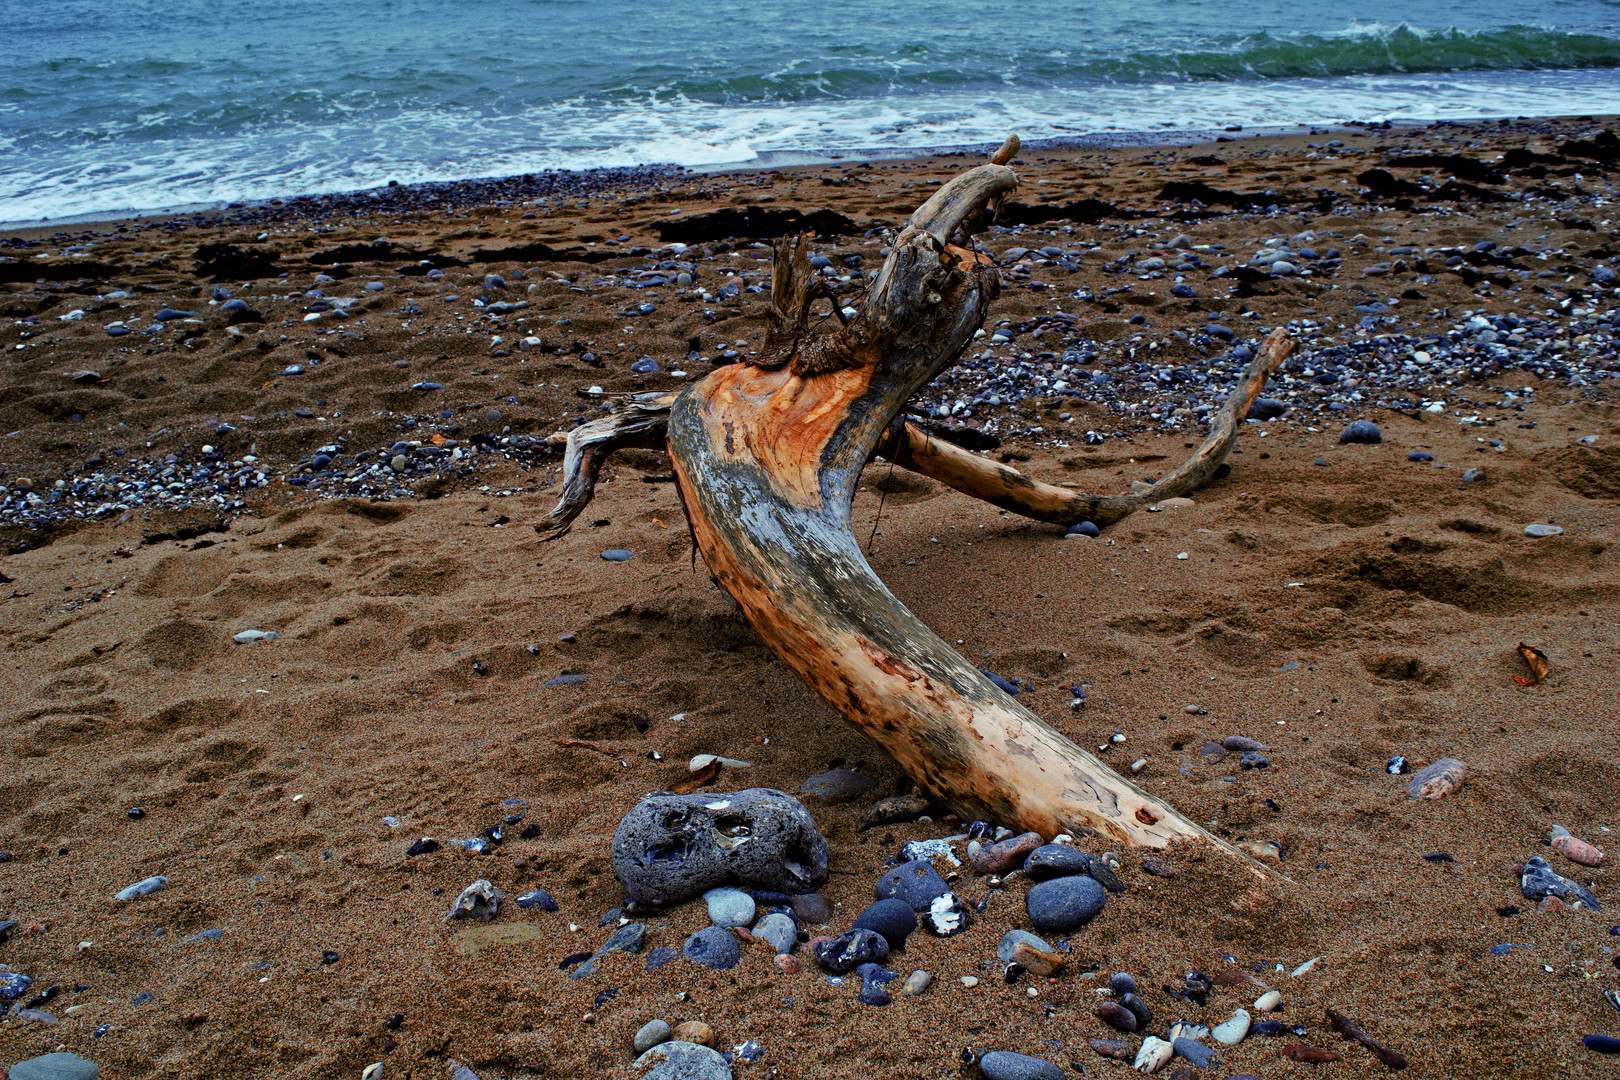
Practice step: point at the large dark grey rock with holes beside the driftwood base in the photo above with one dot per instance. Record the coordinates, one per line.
(675, 848)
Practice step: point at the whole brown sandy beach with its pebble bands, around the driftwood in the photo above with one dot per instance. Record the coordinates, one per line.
(356, 456)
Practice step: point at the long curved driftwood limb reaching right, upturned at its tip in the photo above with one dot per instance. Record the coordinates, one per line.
(914, 449)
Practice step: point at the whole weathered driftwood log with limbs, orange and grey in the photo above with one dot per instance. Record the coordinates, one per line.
(767, 457)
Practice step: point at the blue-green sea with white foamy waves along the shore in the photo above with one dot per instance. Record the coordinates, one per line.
(150, 104)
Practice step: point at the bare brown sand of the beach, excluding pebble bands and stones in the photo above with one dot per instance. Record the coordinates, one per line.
(1341, 614)
